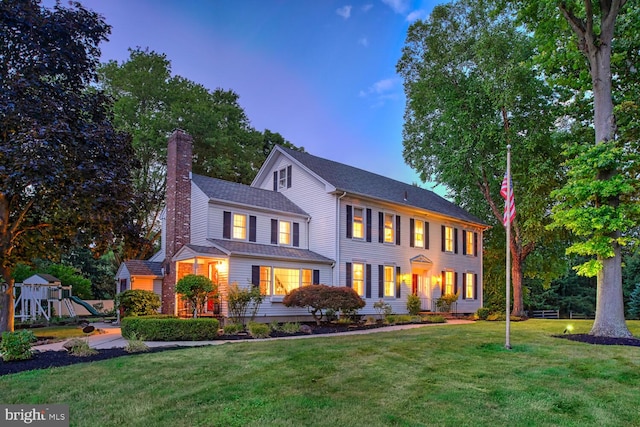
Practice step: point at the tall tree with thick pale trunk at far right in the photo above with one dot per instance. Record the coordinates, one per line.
(600, 200)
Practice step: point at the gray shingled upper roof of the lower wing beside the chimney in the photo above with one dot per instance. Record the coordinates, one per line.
(246, 195)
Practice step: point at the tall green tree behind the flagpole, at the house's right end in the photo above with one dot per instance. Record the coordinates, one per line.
(470, 91)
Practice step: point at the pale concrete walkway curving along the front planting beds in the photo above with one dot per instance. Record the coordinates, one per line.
(111, 337)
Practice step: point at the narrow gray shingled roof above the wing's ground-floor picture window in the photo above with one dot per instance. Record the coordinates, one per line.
(268, 251)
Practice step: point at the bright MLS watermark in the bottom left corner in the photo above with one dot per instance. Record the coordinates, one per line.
(36, 415)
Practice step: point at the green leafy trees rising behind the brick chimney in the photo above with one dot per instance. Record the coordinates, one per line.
(149, 104)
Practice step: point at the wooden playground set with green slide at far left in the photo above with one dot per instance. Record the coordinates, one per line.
(43, 294)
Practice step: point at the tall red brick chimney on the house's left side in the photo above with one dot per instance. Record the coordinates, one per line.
(178, 215)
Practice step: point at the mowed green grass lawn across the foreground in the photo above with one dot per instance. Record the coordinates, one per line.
(455, 375)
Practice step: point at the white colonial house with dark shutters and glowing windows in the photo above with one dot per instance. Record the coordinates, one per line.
(306, 220)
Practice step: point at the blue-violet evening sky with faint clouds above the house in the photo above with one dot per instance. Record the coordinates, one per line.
(320, 72)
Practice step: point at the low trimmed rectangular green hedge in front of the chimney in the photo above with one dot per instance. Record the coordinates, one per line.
(169, 329)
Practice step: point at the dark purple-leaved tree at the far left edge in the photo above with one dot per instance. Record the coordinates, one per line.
(64, 170)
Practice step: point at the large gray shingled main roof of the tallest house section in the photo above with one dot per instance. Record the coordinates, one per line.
(358, 181)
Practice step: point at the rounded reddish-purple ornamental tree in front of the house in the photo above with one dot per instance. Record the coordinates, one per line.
(317, 298)
